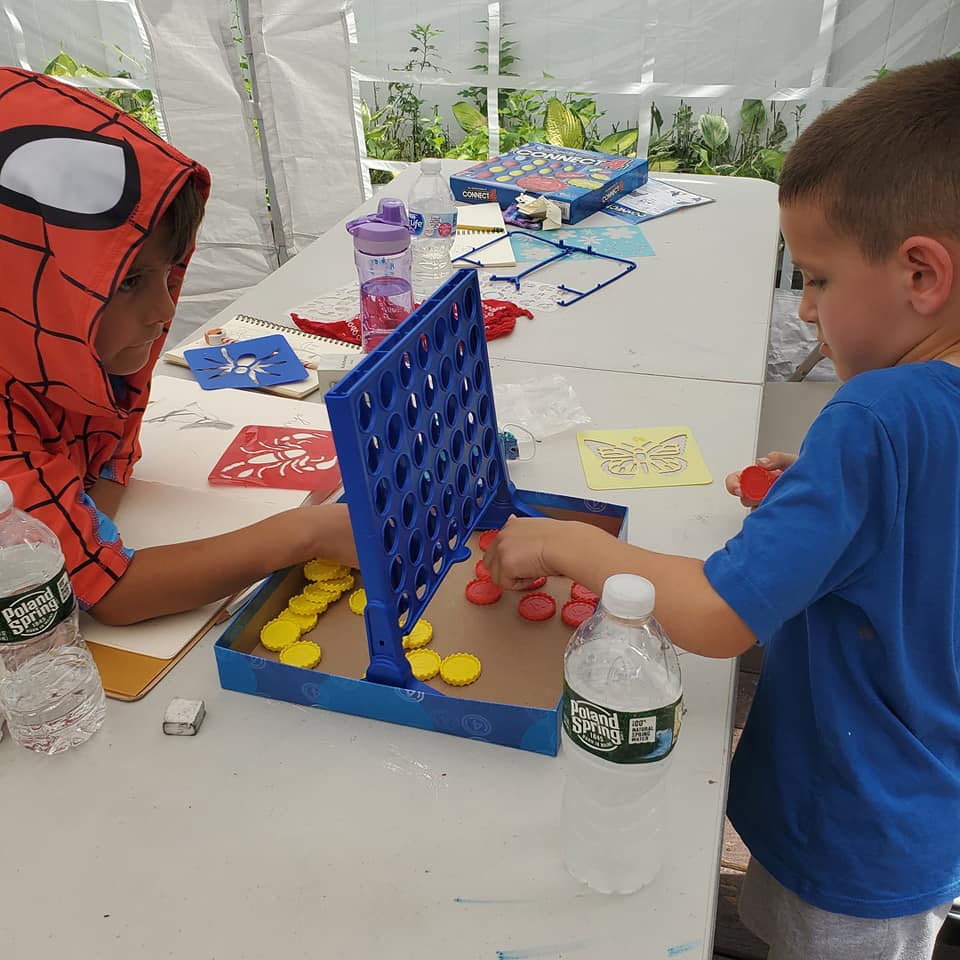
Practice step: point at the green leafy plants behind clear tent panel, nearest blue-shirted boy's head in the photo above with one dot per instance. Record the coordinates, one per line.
(706, 144)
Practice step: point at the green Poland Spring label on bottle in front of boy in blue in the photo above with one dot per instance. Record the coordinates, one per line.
(619, 736)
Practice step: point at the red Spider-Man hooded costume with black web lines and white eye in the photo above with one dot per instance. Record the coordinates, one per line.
(62, 426)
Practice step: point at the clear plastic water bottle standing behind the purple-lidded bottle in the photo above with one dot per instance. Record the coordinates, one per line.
(433, 225)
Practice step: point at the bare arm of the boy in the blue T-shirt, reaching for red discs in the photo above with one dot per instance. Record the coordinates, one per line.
(695, 616)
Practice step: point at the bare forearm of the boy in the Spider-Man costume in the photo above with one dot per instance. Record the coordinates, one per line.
(184, 576)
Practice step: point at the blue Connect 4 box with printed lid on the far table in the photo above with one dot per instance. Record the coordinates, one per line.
(581, 181)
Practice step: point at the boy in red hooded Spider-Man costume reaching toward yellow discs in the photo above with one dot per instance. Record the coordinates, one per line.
(98, 218)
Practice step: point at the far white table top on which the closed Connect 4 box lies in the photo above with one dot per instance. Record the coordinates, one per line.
(699, 309)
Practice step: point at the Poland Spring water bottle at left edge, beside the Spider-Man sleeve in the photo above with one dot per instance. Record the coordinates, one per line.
(50, 689)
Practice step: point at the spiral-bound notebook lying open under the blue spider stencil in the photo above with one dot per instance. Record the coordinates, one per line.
(326, 359)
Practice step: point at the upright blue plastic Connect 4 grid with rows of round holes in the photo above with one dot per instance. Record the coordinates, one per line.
(416, 434)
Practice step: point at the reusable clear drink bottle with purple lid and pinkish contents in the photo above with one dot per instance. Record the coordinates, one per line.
(381, 250)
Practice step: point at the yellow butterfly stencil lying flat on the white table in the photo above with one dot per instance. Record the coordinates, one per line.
(649, 457)
